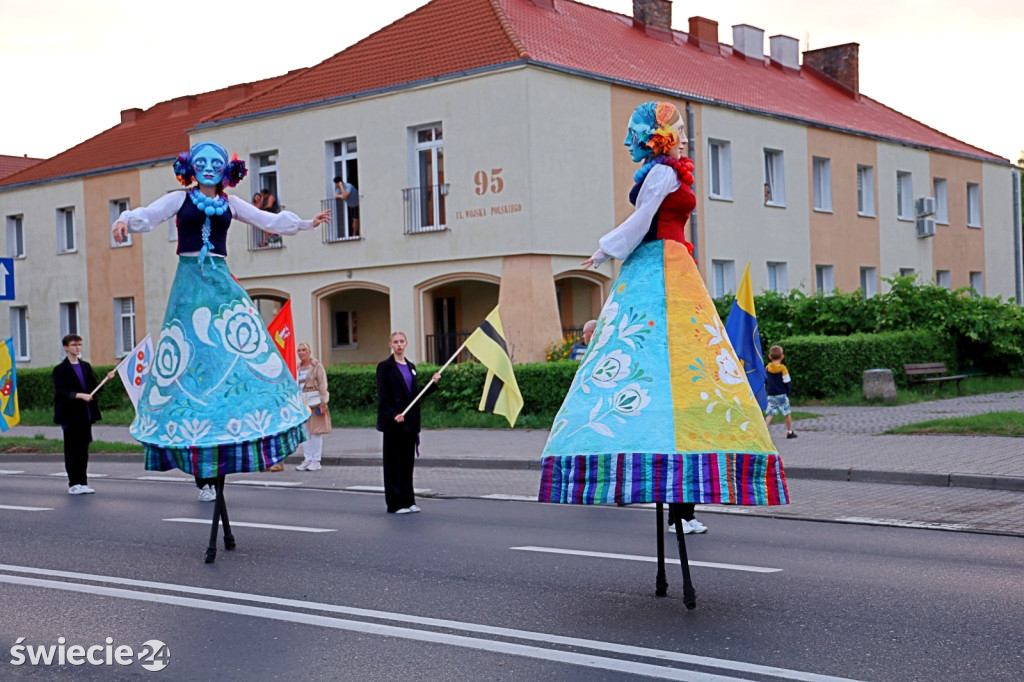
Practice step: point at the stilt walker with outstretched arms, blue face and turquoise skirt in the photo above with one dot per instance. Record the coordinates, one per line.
(220, 399)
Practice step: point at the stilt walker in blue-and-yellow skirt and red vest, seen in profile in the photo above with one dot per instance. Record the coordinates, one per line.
(660, 410)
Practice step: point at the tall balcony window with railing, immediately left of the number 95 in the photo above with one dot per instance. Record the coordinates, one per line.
(425, 199)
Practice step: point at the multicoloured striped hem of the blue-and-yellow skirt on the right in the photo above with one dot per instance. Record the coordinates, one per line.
(729, 479)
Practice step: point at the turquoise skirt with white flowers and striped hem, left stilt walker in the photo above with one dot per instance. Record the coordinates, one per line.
(220, 399)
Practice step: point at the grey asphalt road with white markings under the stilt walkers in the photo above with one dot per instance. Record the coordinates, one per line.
(450, 593)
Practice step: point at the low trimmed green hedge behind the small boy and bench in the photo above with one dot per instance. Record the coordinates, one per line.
(826, 366)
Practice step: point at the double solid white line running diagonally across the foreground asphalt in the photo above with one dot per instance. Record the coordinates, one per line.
(470, 643)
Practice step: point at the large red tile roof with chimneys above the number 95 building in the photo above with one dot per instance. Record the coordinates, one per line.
(446, 38)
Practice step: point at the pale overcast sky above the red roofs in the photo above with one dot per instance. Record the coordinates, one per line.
(69, 67)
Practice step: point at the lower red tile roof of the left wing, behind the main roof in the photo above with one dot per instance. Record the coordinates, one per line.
(159, 133)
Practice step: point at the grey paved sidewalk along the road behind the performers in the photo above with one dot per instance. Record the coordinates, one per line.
(953, 483)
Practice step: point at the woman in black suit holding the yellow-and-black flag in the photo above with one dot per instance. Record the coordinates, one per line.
(397, 387)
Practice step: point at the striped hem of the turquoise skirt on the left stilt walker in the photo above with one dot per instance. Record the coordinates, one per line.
(210, 461)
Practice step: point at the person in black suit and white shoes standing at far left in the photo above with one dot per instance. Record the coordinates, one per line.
(75, 410)
